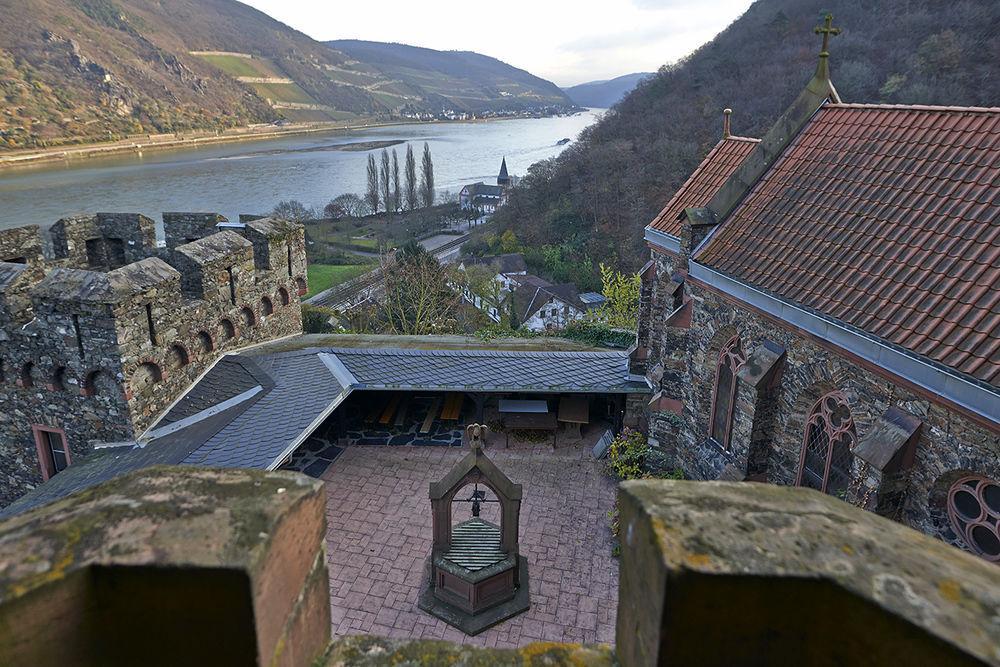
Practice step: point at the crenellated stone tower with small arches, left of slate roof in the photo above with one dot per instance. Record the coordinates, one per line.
(102, 332)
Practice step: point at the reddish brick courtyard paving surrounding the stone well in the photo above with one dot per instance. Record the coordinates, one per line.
(379, 537)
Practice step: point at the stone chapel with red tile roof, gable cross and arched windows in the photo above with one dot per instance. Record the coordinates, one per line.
(820, 310)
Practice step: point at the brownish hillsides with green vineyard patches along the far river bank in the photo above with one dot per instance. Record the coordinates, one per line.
(90, 70)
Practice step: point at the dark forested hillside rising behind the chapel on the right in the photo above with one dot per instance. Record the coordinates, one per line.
(591, 203)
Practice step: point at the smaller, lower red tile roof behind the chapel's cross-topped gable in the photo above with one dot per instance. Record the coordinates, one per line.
(700, 187)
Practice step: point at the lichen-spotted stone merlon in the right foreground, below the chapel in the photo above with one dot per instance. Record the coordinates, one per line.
(716, 573)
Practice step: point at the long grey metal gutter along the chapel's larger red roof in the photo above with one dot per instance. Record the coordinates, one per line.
(964, 393)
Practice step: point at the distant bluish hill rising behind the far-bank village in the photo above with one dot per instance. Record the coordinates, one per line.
(425, 79)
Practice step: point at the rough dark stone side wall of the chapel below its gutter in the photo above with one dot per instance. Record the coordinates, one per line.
(786, 373)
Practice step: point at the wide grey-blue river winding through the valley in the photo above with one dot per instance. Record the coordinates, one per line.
(252, 176)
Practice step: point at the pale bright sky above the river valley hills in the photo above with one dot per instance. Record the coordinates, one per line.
(564, 41)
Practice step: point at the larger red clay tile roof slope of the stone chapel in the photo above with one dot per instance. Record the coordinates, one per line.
(888, 219)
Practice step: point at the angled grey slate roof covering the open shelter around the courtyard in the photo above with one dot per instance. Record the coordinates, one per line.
(297, 390)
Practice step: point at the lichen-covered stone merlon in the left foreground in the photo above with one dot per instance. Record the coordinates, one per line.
(169, 566)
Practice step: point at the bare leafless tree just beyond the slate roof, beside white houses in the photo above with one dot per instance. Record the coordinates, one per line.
(418, 299)
